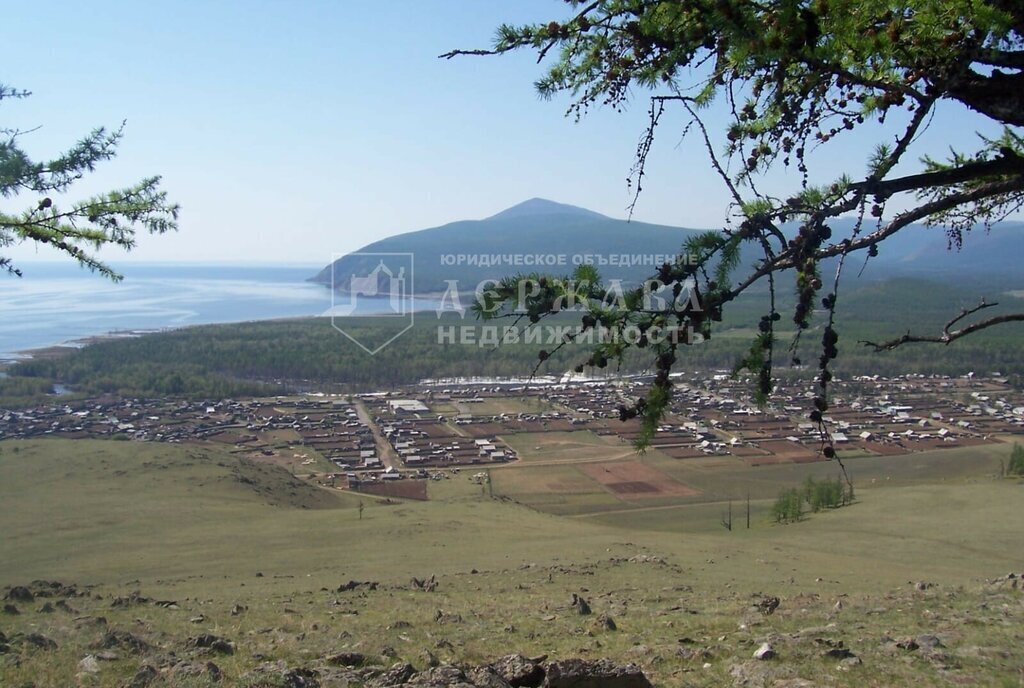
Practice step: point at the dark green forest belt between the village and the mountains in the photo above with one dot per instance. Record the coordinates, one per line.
(281, 357)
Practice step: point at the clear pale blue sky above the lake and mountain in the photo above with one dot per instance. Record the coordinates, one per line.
(293, 132)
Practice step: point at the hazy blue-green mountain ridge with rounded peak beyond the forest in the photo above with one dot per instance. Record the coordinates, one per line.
(552, 238)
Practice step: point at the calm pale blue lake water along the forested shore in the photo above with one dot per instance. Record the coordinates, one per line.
(61, 304)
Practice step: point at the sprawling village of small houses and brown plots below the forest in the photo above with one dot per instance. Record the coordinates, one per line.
(392, 444)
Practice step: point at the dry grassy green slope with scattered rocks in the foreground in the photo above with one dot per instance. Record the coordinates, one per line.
(209, 531)
